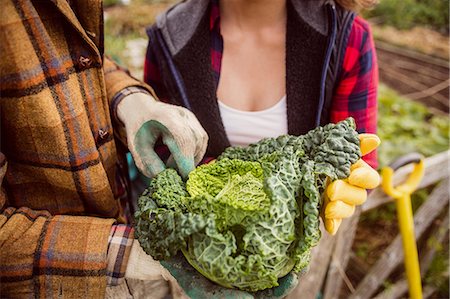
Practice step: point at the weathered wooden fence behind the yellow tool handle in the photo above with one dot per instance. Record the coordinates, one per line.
(331, 257)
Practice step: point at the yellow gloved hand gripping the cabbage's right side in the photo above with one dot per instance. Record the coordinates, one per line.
(341, 196)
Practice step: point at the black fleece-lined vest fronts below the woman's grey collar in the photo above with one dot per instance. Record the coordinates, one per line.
(189, 78)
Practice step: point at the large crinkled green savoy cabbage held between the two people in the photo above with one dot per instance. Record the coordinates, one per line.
(253, 215)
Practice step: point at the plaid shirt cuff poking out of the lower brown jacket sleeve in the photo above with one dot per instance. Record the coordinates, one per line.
(119, 246)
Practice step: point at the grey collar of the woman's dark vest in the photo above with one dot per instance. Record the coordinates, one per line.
(179, 23)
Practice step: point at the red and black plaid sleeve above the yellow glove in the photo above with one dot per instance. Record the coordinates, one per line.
(356, 92)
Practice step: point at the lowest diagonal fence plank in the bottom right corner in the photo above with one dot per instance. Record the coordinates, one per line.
(401, 287)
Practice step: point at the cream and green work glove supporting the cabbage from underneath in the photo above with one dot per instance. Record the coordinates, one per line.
(186, 282)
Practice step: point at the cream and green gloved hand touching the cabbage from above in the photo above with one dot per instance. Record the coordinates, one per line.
(146, 120)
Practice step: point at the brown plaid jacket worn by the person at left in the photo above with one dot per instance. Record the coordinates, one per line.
(59, 197)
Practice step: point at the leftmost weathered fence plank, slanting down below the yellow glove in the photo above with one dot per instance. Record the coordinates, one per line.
(311, 282)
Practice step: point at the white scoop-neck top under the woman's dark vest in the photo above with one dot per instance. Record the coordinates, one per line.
(245, 127)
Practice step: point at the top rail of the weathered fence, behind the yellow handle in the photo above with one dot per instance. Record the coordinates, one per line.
(436, 169)
